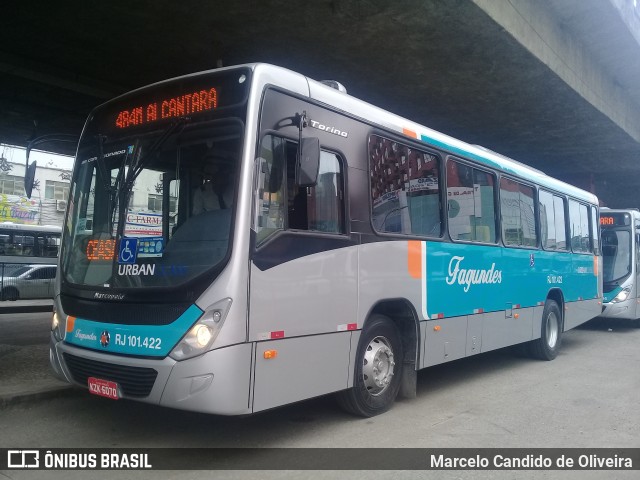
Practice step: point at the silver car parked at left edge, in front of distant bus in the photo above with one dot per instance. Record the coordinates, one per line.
(28, 281)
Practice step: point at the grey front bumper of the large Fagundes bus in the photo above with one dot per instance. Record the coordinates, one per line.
(216, 382)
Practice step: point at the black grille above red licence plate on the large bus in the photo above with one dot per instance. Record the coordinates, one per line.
(134, 381)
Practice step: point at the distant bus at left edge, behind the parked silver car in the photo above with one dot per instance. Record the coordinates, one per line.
(21, 243)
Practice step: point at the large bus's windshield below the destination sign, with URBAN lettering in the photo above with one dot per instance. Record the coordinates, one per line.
(152, 209)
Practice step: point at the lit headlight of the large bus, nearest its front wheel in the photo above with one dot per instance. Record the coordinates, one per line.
(199, 339)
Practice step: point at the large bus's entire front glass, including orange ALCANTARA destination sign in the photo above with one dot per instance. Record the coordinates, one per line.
(154, 185)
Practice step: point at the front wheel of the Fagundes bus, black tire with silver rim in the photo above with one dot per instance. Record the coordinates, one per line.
(378, 369)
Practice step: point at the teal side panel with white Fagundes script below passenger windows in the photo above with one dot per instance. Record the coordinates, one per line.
(461, 278)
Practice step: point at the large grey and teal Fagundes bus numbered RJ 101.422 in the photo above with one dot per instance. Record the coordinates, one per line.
(308, 243)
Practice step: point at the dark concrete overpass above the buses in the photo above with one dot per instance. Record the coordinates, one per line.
(552, 83)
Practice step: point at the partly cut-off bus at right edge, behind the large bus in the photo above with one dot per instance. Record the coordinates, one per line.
(620, 231)
